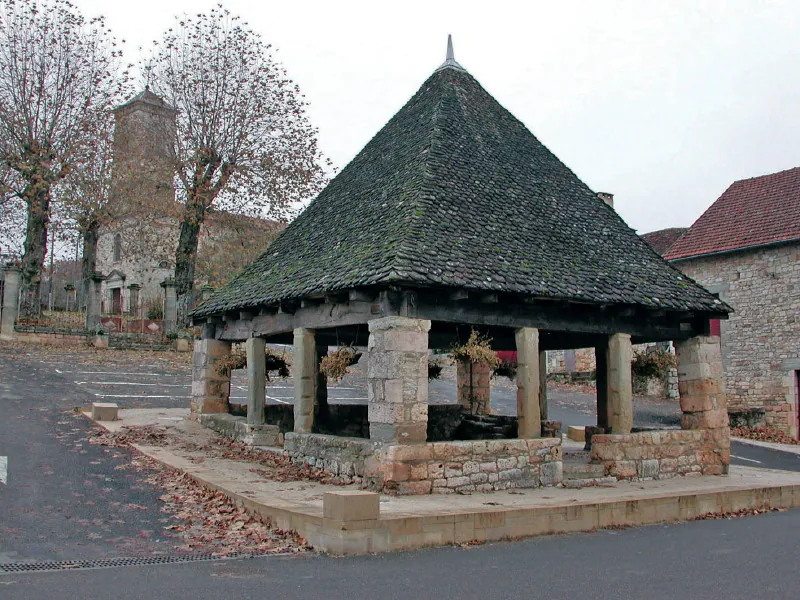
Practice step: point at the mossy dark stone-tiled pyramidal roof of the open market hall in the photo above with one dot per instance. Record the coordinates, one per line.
(455, 192)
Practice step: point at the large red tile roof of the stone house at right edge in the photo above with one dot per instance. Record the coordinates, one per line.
(751, 212)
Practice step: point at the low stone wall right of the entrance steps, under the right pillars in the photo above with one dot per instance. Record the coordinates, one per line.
(663, 454)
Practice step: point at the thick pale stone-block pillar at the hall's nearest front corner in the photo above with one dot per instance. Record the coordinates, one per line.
(397, 379)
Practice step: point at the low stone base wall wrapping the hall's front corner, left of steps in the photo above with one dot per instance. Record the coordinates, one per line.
(438, 468)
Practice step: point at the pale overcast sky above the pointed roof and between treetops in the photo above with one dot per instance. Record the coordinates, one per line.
(663, 104)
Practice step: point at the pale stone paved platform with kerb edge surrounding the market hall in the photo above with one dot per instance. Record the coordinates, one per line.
(408, 522)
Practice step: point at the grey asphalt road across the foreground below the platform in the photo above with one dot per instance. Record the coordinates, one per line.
(732, 559)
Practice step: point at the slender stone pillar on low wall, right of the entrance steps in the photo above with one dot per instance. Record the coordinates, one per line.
(618, 385)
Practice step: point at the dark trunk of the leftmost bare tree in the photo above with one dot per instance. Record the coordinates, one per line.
(37, 199)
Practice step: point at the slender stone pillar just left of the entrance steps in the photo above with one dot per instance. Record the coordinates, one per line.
(529, 414)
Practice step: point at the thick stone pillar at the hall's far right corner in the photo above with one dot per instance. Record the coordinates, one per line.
(701, 383)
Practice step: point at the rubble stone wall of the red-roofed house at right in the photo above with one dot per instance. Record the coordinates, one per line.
(761, 340)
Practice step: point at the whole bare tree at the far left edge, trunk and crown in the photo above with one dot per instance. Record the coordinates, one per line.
(58, 80)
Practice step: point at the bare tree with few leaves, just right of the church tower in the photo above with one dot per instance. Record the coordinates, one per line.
(244, 143)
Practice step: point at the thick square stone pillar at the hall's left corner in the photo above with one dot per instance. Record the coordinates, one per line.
(211, 389)
